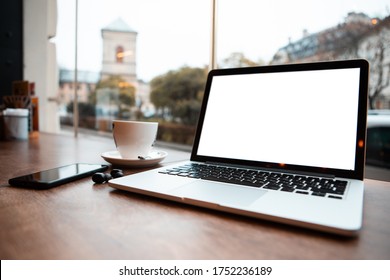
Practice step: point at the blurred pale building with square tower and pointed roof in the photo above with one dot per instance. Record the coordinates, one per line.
(119, 60)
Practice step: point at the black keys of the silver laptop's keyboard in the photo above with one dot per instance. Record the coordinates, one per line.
(299, 184)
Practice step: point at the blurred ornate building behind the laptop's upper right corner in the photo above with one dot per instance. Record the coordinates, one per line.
(359, 36)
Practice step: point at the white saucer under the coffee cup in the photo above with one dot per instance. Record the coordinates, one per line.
(153, 158)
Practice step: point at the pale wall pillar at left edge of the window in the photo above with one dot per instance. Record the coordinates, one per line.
(40, 63)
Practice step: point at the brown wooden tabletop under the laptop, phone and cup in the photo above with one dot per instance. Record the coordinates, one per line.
(81, 220)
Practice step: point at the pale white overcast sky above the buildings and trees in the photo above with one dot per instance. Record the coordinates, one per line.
(176, 33)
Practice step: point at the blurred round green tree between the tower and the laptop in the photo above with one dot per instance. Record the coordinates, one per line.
(178, 94)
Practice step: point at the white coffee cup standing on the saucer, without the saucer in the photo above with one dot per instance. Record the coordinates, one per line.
(134, 138)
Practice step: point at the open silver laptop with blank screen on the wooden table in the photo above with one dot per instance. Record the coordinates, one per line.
(284, 143)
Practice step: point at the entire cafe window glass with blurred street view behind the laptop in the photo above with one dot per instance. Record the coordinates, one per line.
(147, 60)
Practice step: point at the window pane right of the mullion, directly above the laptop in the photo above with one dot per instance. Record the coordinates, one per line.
(278, 32)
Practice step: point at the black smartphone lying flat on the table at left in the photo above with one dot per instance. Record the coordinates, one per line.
(56, 176)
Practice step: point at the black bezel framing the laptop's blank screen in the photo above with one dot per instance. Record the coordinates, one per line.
(360, 145)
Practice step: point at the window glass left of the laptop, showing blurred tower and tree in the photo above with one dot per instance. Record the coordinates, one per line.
(138, 60)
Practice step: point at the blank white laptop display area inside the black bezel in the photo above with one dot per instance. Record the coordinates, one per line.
(306, 118)
